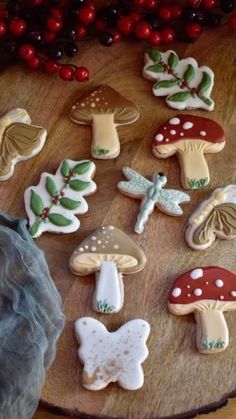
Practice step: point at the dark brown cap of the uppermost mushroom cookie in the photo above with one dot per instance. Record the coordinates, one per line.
(104, 100)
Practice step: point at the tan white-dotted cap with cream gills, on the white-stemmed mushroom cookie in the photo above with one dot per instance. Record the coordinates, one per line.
(108, 244)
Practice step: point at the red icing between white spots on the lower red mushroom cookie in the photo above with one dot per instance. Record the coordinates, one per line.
(209, 290)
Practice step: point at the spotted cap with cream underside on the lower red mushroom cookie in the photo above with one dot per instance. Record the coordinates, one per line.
(206, 284)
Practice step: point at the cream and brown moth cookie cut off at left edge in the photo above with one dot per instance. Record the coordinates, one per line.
(19, 140)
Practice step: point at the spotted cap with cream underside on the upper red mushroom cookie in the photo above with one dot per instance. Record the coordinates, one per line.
(187, 128)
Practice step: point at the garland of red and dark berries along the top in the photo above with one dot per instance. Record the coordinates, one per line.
(41, 32)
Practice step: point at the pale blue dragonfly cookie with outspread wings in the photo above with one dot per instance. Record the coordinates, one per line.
(152, 194)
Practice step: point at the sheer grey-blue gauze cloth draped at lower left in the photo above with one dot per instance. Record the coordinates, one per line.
(31, 320)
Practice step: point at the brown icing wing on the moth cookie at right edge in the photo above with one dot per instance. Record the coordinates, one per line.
(222, 219)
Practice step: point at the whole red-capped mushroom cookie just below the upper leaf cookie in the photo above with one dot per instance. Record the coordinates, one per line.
(190, 137)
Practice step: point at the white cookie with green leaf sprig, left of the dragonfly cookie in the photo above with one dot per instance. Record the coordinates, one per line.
(52, 204)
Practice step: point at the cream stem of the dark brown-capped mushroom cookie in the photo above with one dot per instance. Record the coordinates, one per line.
(105, 138)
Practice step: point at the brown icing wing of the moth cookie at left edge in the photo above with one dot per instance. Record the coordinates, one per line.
(19, 139)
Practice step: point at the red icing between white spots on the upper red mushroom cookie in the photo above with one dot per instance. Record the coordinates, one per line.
(214, 132)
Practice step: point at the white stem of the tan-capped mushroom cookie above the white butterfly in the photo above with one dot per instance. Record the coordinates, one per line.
(109, 291)
